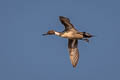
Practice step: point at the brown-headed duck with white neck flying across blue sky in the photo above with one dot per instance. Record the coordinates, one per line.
(73, 35)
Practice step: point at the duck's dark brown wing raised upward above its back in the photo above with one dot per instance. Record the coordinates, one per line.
(66, 22)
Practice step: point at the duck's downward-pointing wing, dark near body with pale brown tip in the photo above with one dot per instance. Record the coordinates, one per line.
(73, 51)
